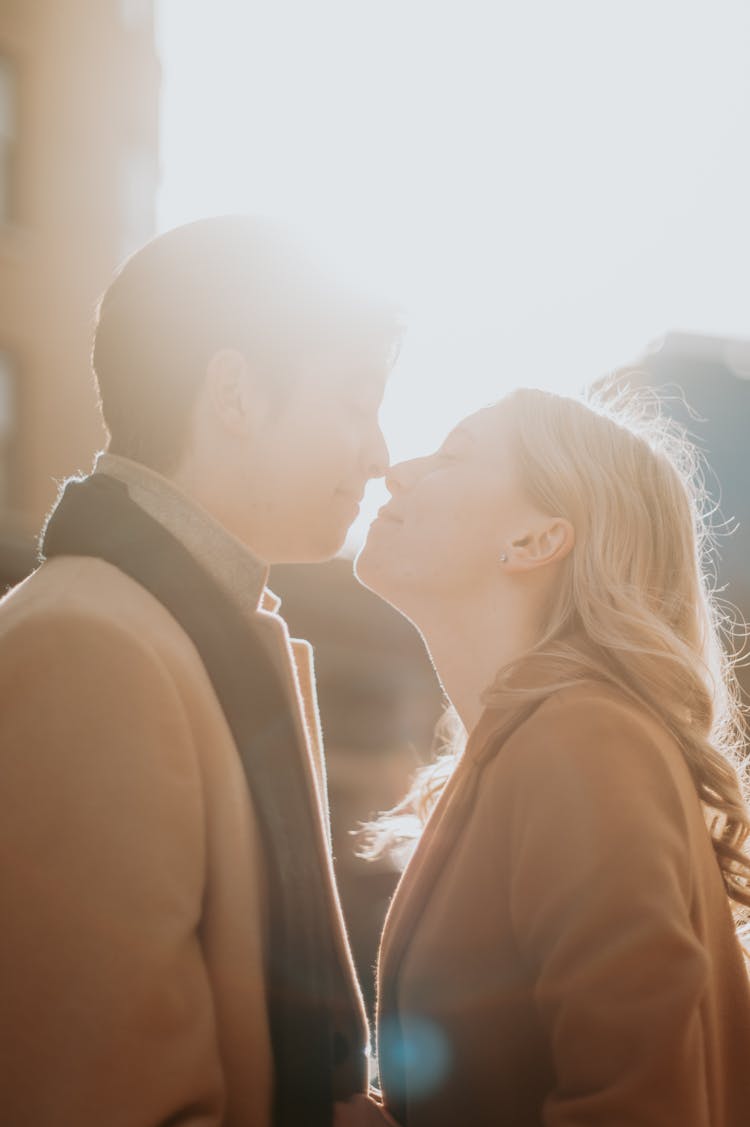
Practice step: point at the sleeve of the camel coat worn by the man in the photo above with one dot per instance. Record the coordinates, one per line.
(107, 1010)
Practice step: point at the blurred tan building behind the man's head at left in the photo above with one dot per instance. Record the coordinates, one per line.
(80, 86)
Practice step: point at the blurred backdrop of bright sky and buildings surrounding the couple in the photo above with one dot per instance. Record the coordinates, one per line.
(552, 191)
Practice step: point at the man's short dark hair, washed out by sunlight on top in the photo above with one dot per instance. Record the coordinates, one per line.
(227, 282)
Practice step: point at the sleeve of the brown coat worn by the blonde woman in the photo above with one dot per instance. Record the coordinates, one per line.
(602, 907)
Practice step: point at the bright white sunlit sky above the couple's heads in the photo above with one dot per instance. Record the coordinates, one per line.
(548, 185)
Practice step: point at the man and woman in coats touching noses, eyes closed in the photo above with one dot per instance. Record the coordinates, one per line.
(562, 948)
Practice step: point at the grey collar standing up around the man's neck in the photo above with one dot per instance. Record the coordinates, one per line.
(235, 567)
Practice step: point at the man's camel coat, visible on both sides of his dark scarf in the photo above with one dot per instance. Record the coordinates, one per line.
(133, 951)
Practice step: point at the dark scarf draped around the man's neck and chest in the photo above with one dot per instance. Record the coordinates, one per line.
(308, 991)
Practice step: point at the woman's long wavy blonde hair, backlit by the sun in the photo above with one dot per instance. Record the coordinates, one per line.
(636, 606)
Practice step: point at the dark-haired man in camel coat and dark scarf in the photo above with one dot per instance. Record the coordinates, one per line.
(173, 951)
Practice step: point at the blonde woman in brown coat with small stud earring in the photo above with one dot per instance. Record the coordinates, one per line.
(562, 949)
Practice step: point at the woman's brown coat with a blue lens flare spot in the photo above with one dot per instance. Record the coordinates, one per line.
(561, 951)
